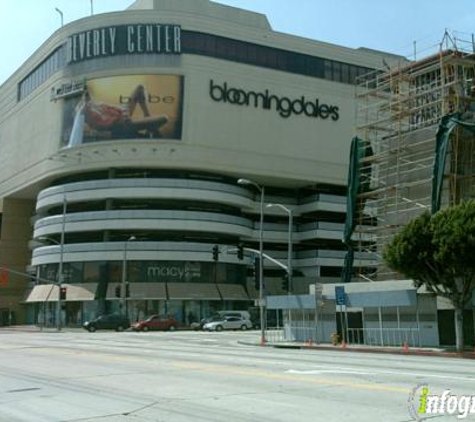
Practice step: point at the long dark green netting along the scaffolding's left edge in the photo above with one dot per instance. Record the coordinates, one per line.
(359, 177)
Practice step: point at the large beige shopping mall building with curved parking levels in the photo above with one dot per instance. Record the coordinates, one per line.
(123, 138)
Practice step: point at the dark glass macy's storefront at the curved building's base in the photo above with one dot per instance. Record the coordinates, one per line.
(185, 311)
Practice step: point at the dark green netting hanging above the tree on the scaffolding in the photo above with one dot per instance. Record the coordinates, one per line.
(447, 124)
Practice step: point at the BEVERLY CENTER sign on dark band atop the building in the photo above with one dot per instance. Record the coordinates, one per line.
(124, 39)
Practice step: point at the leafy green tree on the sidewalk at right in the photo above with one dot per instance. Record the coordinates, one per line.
(437, 251)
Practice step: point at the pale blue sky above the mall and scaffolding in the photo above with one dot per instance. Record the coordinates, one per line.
(392, 26)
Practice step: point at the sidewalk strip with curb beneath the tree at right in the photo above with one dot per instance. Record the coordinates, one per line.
(412, 351)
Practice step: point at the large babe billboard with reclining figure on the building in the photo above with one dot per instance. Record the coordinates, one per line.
(125, 107)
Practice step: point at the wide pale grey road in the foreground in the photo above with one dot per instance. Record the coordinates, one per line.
(195, 376)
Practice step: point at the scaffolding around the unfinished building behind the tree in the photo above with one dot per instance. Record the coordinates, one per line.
(399, 110)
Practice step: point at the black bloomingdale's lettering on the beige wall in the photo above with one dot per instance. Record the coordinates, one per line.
(283, 105)
